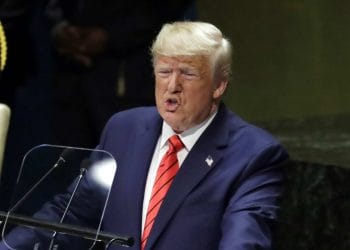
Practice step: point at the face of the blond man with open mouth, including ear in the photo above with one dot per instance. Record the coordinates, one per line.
(186, 93)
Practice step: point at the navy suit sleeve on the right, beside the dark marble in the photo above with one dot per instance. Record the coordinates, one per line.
(252, 210)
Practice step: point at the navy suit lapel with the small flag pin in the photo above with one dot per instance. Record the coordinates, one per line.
(203, 157)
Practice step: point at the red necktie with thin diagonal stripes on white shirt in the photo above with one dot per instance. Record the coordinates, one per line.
(166, 172)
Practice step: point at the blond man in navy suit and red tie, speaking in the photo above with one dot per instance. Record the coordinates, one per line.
(227, 177)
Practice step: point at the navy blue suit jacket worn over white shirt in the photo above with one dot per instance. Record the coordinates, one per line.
(229, 204)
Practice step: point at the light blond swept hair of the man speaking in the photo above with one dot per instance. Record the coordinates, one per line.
(195, 38)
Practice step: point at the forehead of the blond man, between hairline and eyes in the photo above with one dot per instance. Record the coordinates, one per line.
(197, 61)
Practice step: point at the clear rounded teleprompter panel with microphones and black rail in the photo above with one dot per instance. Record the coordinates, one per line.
(59, 201)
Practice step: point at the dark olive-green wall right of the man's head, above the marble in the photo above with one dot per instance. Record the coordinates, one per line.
(291, 57)
